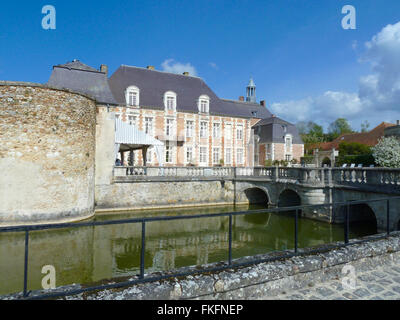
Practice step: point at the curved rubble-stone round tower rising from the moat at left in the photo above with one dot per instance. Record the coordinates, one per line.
(47, 154)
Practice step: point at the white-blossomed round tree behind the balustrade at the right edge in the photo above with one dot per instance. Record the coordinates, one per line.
(387, 152)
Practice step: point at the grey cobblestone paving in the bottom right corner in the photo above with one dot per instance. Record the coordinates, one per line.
(380, 284)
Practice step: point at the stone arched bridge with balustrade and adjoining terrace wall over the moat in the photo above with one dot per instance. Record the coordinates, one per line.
(156, 187)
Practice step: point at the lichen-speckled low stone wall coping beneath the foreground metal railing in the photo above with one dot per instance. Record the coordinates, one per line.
(257, 280)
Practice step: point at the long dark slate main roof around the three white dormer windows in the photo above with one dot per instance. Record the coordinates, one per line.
(153, 85)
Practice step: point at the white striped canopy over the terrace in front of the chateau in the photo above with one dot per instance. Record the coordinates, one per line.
(129, 138)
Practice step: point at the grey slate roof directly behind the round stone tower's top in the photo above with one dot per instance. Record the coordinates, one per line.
(82, 78)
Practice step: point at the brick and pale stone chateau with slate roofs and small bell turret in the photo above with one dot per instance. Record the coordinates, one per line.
(195, 125)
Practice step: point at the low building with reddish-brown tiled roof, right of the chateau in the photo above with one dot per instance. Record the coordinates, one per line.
(330, 150)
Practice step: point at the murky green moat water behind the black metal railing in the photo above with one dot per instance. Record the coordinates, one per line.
(91, 254)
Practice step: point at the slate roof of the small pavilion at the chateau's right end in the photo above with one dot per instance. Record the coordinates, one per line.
(272, 130)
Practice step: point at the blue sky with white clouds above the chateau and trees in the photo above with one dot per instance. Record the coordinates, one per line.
(305, 65)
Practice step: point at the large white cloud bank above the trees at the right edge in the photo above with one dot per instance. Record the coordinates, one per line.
(378, 97)
